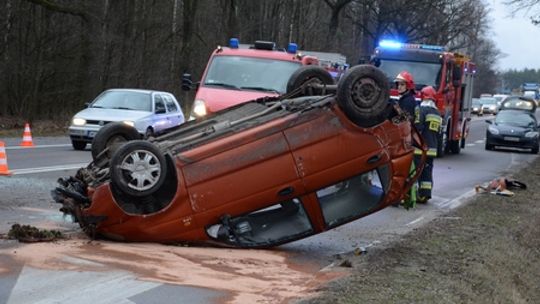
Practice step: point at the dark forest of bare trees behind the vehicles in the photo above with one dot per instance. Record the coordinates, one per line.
(58, 55)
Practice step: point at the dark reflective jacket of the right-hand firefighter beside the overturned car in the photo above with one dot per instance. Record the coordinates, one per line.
(428, 122)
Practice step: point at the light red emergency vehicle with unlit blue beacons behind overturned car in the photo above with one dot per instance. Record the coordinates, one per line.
(241, 72)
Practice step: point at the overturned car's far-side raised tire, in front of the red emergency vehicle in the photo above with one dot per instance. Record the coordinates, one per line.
(308, 74)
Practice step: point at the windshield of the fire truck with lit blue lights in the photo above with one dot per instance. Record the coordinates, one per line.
(424, 73)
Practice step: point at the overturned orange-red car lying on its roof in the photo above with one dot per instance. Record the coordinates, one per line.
(259, 174)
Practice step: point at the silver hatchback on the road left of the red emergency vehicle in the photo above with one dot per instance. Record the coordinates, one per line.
(150, 112)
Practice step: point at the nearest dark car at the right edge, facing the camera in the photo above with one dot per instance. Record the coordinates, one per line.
(514, 126)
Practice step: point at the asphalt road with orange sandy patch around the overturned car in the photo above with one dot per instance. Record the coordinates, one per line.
(151, 273)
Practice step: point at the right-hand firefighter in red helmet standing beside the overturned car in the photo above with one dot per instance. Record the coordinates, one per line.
(428, 122)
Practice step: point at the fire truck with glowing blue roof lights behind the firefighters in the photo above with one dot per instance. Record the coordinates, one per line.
(450, 74)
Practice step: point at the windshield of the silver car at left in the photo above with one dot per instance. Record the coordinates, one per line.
(125, 100)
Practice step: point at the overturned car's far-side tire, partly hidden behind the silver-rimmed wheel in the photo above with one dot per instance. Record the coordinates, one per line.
(111, 137)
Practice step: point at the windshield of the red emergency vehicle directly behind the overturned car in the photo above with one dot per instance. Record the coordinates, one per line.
(247, 73)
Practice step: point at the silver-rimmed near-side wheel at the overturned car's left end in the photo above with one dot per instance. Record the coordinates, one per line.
(138, 168)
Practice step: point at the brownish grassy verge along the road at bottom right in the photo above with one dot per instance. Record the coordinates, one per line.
(487, 251)
